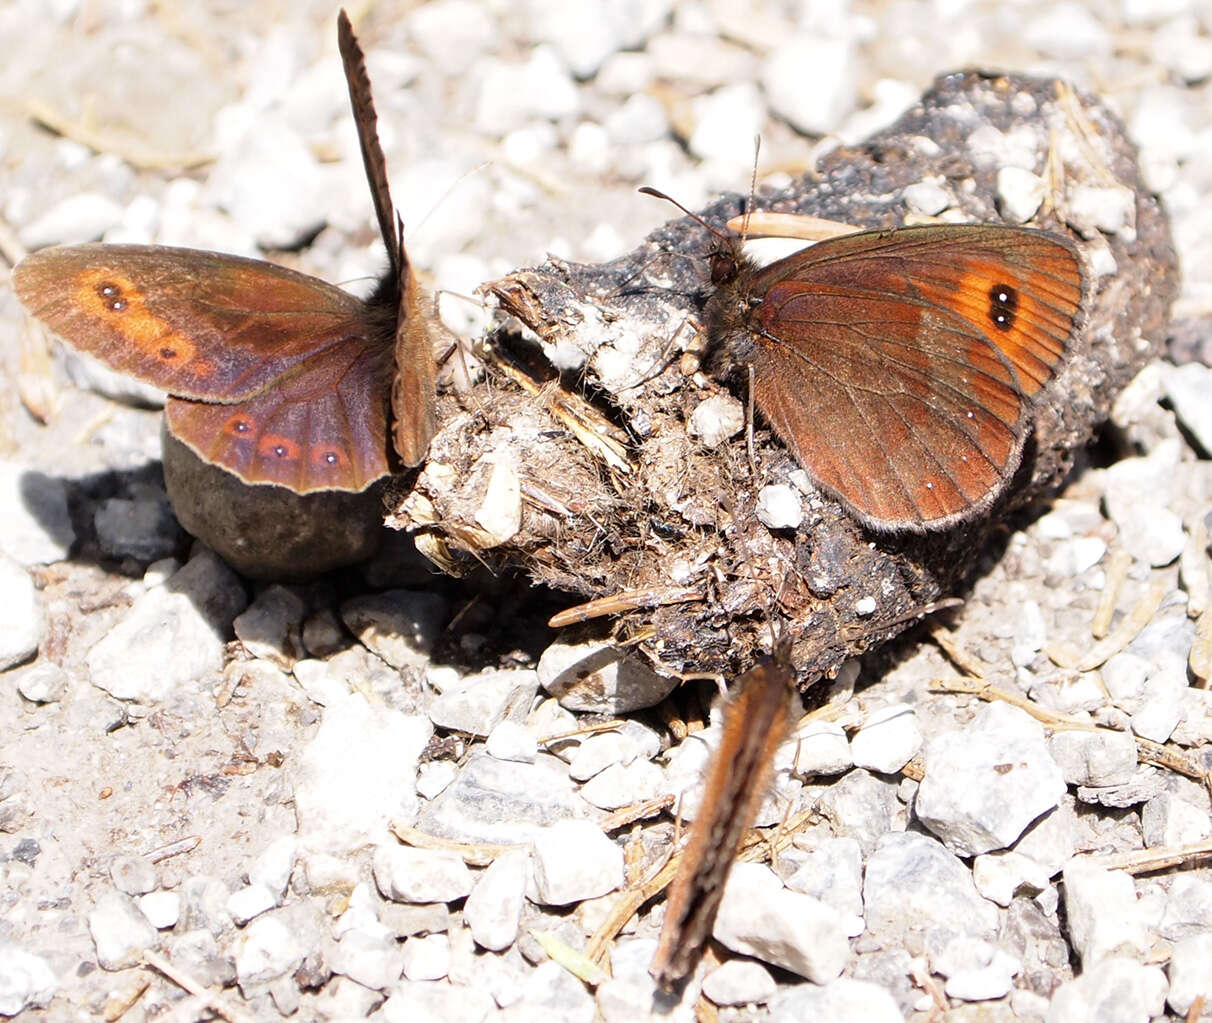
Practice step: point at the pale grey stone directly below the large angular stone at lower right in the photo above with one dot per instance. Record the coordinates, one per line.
(913, 884)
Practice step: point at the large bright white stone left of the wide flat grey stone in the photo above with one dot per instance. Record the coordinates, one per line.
(357, 775)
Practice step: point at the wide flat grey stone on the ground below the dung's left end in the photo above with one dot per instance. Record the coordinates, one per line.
(502, 804)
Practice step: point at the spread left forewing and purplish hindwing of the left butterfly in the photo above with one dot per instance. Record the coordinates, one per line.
(283, 376)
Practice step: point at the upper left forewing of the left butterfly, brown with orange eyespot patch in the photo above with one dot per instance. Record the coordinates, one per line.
(201, 325)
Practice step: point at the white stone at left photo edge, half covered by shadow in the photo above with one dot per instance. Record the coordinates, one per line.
(37, 524)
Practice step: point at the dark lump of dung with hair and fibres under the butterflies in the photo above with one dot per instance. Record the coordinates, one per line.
(690, 542)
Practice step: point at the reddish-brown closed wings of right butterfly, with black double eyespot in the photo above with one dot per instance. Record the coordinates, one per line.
(899, 367)
